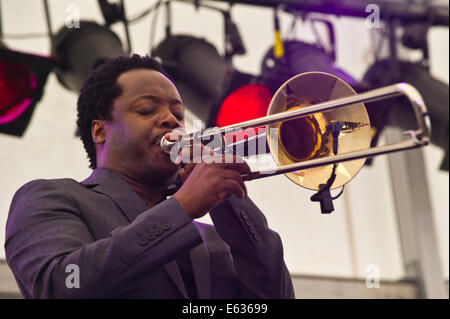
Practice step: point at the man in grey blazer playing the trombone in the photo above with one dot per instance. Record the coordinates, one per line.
(118, 229)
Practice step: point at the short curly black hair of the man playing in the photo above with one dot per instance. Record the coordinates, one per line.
(99, 91)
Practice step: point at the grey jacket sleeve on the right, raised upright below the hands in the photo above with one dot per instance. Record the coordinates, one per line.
(256, 249)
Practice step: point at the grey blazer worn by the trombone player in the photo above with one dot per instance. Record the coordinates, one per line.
(122, 249)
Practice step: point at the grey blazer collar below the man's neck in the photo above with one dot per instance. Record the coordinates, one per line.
(107, 182)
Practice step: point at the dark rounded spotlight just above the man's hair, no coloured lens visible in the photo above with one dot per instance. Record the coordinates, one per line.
(78, 50)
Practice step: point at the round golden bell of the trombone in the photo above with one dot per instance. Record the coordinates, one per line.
(310, 137)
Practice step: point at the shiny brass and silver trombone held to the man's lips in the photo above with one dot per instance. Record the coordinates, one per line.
(321, 129)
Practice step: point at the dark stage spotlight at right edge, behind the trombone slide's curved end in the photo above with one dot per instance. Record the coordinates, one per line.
(435, 94)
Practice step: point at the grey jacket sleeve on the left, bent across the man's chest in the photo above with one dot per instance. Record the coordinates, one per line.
(46, 238)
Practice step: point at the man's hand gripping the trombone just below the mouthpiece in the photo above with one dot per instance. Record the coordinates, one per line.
(207, 185)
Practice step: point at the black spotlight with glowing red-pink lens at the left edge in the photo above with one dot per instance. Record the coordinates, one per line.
(22, 80)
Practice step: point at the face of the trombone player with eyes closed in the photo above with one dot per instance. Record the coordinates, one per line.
(149, 107)
